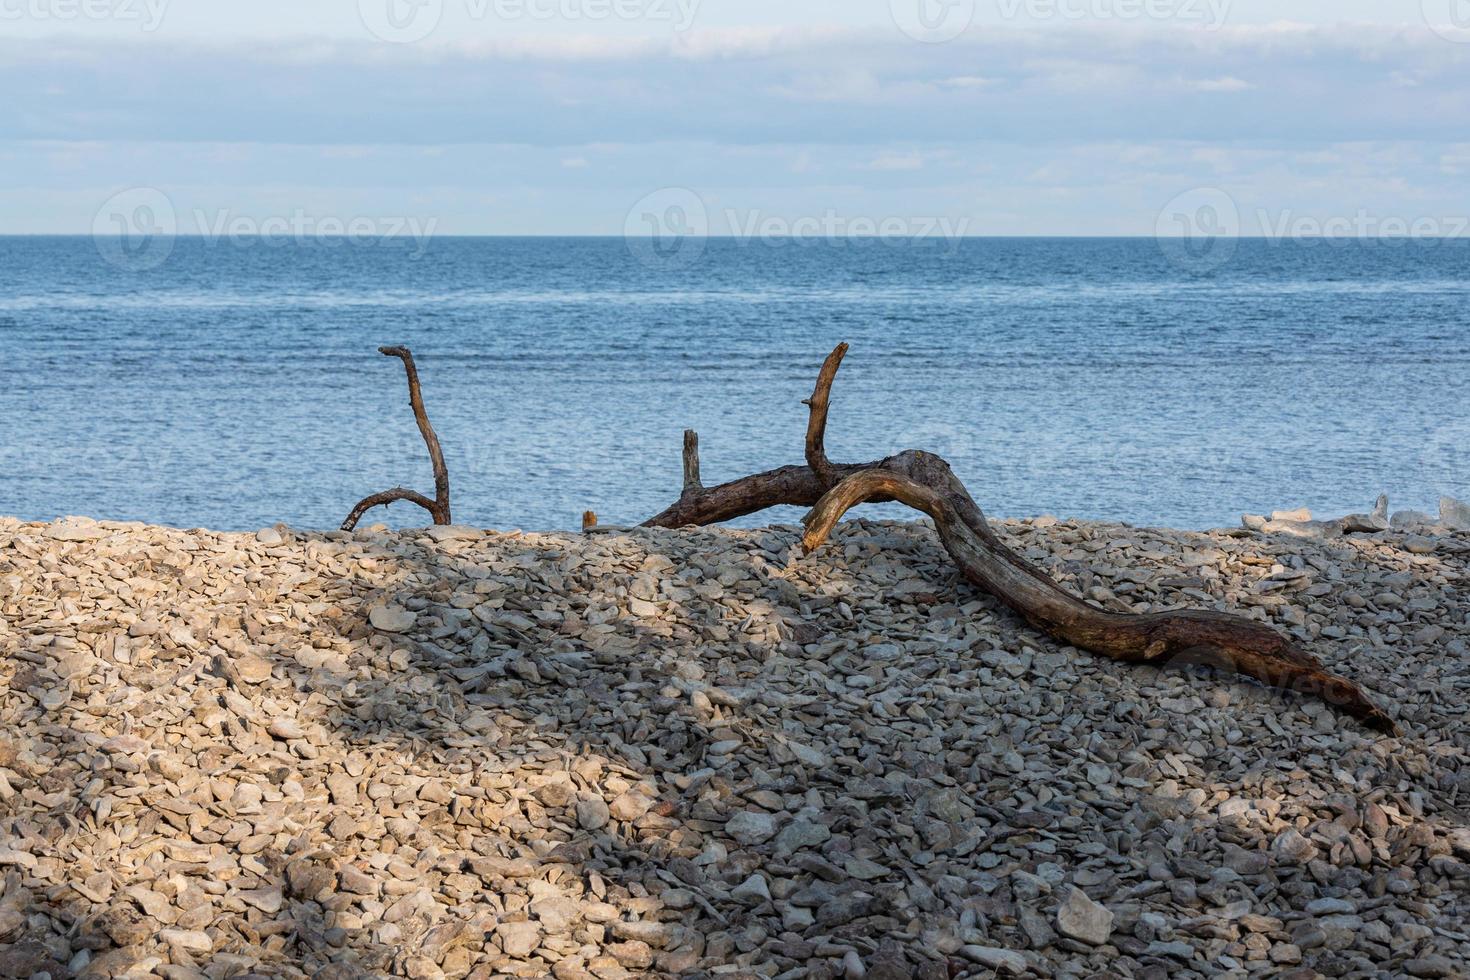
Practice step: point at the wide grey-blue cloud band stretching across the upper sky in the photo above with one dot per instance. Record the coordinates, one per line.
(765, 86)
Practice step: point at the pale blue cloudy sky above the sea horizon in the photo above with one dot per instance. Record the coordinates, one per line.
(737, 117)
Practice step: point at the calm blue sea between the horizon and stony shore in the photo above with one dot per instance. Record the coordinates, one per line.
(237, 384)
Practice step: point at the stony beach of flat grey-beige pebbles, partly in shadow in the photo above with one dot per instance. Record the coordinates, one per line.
(453, 753)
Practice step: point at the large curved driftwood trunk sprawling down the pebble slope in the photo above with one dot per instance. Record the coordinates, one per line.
(925, 483)
